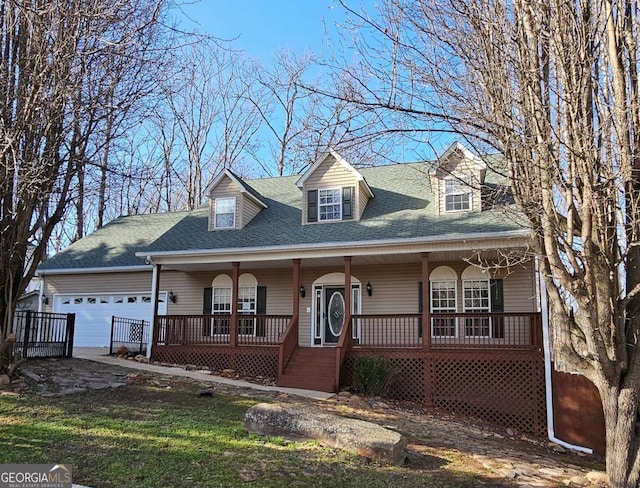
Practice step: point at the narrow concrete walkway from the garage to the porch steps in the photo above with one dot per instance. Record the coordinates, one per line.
(101, 355)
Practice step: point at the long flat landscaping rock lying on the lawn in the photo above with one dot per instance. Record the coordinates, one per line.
(367, 439)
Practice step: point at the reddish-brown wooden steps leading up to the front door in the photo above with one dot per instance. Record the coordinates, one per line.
(311, 368)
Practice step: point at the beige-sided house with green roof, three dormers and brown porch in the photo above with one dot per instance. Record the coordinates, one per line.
(295, 277)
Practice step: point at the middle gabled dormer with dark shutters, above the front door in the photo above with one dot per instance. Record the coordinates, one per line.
(333, 190)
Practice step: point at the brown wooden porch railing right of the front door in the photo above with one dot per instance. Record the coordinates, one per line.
(449, 330)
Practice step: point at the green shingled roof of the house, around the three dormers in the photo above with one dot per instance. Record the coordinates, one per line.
(403, 208)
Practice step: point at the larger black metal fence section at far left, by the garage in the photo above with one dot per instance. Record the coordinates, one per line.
(43, 334)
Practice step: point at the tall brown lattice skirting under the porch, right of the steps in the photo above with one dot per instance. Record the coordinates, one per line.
(506, 388)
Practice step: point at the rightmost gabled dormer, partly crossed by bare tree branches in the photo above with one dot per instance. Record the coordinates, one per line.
(456, 180)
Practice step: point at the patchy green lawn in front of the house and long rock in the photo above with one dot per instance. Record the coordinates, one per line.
(153, 437)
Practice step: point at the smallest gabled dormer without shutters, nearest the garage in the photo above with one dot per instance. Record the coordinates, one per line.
(232, 202)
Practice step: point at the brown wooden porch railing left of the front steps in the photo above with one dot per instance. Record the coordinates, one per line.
(208, 330)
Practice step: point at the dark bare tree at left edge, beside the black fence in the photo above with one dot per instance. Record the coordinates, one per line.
(51, 113)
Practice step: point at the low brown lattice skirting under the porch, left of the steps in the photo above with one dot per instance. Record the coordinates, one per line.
(248, 361)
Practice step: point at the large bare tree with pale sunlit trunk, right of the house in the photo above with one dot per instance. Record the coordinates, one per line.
(554, 86)
